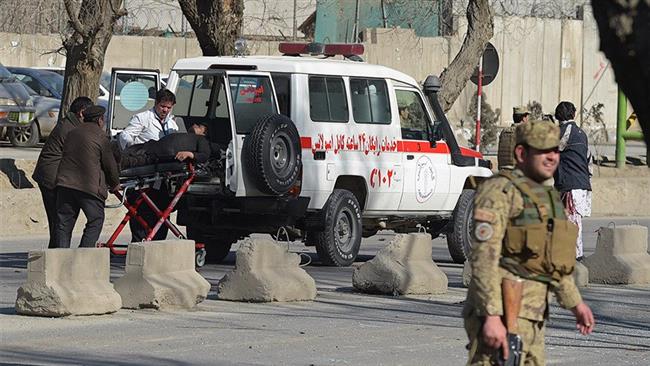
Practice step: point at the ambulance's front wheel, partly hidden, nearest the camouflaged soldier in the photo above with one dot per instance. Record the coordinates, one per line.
(459, 241)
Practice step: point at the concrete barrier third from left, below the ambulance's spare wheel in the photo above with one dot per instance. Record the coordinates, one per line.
(265, 271)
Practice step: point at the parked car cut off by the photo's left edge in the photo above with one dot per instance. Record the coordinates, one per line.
(16, 105)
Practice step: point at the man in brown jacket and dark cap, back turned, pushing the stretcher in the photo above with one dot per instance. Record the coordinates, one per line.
(86, 170)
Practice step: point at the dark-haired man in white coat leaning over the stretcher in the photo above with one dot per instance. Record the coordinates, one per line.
(145, 126)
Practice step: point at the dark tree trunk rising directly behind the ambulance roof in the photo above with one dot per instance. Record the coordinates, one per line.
(216, 23)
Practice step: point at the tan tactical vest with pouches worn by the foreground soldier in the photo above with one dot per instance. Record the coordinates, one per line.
(540, 243)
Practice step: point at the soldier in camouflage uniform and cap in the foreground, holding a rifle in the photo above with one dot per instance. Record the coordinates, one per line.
(521, 233)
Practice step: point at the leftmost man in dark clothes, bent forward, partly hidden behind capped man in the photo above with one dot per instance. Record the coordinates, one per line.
(50, 157)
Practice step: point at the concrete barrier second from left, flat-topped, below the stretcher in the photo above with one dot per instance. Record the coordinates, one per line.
(161, 274)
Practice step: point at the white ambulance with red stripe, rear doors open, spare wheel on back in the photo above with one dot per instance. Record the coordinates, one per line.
(321, 146)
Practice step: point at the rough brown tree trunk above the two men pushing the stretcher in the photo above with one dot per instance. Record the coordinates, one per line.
(92, 29)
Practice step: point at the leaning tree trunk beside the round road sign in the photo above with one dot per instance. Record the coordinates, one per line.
(480, 28)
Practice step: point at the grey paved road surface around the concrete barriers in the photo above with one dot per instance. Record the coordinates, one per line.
(339, 328)
